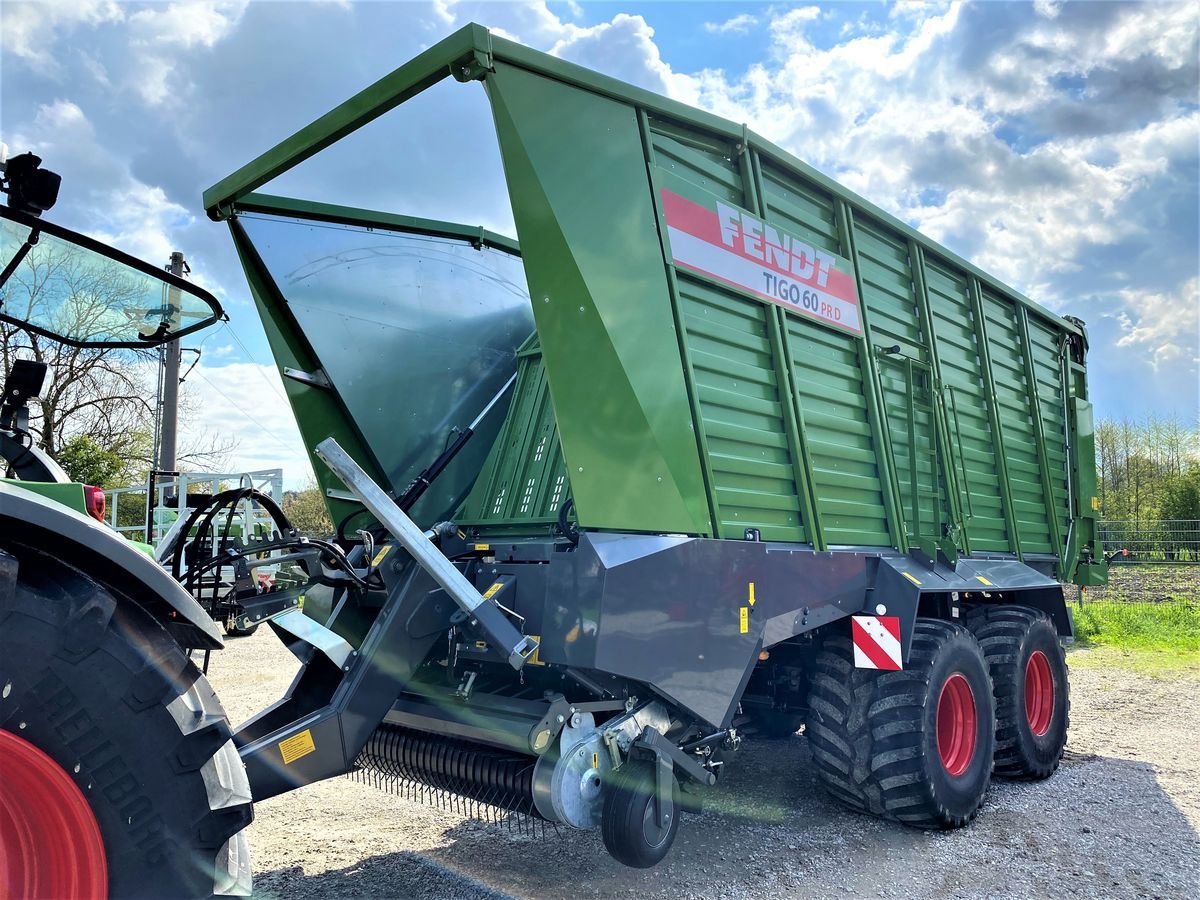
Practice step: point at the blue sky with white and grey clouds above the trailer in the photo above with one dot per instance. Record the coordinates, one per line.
(1054, 145)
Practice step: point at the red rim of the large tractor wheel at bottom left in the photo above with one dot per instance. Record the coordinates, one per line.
(50, 841)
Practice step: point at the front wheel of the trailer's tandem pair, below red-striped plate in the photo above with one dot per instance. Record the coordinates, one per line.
(916, 746)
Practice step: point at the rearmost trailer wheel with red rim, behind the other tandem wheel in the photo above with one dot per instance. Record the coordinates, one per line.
(1029, 676)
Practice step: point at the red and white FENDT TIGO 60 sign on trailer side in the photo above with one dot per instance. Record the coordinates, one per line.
(734, 247)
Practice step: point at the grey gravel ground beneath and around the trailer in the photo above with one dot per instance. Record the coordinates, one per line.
(1119, 820)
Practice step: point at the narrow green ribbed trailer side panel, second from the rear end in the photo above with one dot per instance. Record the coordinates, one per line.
(1017, 424)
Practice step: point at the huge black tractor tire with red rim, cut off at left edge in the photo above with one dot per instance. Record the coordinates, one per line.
(117, 735)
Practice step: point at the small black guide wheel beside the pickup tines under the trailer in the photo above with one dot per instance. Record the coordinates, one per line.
(629, 820)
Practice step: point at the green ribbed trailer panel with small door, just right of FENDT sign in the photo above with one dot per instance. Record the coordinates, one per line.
(905, 376)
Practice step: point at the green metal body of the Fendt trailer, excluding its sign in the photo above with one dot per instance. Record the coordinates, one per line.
(664, 400)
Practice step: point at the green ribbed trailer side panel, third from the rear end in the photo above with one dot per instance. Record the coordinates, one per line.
(967, 409)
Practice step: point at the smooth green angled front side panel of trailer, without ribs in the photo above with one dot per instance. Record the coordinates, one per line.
(586, 219)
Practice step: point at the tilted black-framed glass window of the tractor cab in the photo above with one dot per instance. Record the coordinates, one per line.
(71, 289)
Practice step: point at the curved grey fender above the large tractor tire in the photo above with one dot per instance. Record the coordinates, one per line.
(31, 520)
